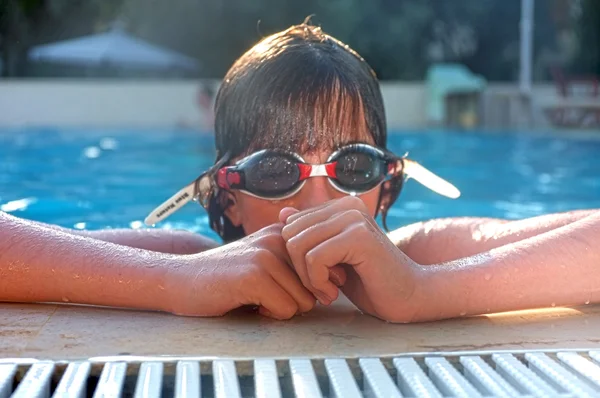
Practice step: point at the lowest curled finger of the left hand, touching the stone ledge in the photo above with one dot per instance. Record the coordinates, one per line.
(276, 301)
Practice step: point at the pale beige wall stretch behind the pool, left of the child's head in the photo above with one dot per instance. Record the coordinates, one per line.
(98, 104)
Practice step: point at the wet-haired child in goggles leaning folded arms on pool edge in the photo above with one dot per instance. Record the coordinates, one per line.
(301, 172)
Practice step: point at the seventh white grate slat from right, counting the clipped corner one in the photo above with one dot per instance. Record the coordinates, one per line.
(413, 382)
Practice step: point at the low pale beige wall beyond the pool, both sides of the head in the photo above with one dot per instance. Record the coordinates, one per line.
(121, 103)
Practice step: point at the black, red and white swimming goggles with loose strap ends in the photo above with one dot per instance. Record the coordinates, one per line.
(275, 175)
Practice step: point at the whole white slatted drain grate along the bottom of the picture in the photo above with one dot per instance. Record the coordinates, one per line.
(465, 374)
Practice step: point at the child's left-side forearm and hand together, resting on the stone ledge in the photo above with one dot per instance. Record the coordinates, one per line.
(43, 264)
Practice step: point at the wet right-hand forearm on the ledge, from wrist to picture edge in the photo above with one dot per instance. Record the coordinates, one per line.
(560, 267)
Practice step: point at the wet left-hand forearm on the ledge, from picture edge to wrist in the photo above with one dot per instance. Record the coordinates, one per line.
(40, 264)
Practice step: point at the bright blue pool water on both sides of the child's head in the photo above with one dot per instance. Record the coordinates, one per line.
(112, 178)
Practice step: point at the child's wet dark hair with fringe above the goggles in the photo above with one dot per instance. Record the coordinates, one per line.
(296, 90)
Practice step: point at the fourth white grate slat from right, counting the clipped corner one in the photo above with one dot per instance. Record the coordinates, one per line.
(523, 378)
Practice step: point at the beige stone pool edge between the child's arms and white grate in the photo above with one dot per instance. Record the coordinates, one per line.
(61, 332)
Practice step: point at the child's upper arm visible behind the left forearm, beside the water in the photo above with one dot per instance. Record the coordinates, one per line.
(159, 240)
